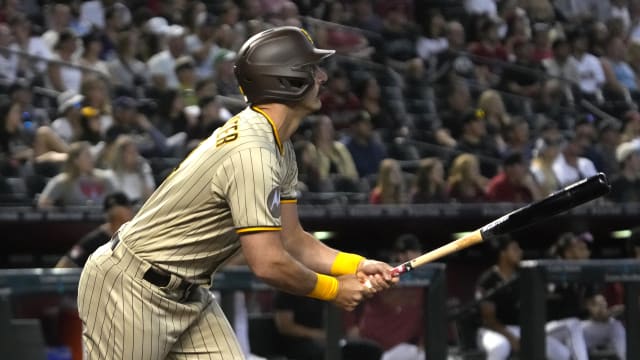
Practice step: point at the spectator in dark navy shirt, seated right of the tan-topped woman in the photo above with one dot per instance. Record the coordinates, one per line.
(365, 149)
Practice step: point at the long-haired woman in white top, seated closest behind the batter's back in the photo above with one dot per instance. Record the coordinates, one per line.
(130, 171)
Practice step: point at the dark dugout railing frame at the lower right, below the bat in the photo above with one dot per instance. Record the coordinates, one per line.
(536, 274)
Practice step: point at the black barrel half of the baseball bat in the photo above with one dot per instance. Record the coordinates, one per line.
(560, 201)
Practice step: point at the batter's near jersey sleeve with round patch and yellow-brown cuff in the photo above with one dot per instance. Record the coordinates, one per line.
(253, 189)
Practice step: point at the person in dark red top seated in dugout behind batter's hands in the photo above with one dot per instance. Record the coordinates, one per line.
(394, 320)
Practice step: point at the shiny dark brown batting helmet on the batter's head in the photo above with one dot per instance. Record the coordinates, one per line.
(277, 65)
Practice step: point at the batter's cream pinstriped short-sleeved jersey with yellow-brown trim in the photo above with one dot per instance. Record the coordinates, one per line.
(232, 183)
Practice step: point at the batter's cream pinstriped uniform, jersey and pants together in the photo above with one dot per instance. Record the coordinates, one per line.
(232, 183)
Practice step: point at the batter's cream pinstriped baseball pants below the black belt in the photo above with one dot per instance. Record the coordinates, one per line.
(125, 316)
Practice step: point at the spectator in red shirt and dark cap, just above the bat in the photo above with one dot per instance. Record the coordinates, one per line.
(514, 183)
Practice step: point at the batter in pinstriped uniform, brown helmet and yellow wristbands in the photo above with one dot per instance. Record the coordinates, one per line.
(144, 295)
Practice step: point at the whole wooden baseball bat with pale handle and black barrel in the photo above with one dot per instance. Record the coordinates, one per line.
(562, 200)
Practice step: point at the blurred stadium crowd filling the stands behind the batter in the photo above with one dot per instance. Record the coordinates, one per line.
(435, 101)
